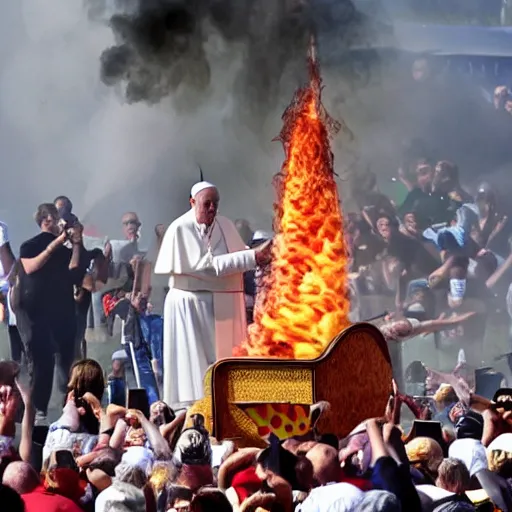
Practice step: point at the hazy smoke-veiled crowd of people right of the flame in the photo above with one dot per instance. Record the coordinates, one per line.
(442, 256)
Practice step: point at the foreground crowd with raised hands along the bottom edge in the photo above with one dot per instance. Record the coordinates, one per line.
(155, 459)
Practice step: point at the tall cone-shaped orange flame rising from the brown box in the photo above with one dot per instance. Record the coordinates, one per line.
(306, 300)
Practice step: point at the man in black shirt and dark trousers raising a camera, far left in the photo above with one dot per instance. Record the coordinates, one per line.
(52, 264)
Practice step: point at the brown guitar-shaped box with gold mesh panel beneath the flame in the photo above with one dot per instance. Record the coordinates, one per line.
(353, 374)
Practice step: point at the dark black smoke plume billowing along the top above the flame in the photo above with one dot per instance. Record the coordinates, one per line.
(164, 47)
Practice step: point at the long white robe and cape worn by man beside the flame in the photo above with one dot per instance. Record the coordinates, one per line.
(204, 311)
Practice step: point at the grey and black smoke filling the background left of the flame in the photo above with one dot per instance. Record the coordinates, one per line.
(116, 103)
